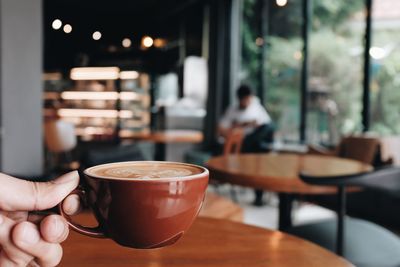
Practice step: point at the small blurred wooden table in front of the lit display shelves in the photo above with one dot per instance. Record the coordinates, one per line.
(161, 138)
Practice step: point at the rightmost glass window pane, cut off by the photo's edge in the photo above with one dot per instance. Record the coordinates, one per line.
(385, 61)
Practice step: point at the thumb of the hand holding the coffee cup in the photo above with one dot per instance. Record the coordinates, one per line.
(21, 195)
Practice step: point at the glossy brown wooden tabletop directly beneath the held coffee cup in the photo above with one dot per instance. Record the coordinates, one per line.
(209, 242)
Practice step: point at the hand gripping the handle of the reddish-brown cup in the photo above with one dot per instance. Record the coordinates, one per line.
(28, 239)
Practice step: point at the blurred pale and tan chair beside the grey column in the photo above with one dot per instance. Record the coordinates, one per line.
(60, 140)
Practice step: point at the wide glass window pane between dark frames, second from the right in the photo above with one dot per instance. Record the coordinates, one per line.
(335, 70)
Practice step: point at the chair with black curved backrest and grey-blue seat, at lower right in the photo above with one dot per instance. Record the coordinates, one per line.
(361, 242)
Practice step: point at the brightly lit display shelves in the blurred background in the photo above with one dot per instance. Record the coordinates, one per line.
(102, 103)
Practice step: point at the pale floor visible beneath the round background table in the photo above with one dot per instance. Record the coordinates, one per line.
(267, 215)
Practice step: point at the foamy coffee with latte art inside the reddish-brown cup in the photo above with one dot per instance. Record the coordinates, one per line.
(146, 170)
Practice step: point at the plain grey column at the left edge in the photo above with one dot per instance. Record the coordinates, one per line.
(21, 55)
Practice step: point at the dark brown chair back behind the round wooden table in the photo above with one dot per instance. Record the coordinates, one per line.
(361, 148)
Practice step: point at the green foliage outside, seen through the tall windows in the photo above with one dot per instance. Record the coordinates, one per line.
(336, 60)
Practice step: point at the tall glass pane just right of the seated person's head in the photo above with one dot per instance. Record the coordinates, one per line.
(283, 67)
